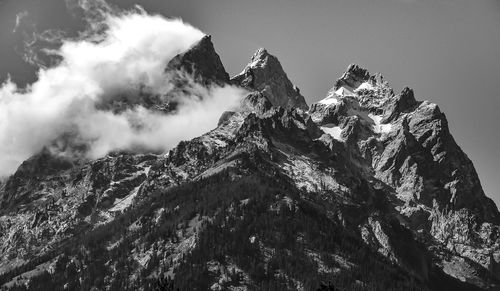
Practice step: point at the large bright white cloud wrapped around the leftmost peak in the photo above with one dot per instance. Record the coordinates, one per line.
(126, 55)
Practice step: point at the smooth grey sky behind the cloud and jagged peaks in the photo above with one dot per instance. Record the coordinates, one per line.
(448, 51)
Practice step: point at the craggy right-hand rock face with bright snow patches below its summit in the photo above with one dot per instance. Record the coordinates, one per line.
(407, 146)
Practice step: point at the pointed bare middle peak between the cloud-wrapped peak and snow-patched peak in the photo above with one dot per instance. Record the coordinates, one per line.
(265, 74)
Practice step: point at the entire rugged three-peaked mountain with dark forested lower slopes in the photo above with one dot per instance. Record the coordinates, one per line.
(364, 190)
